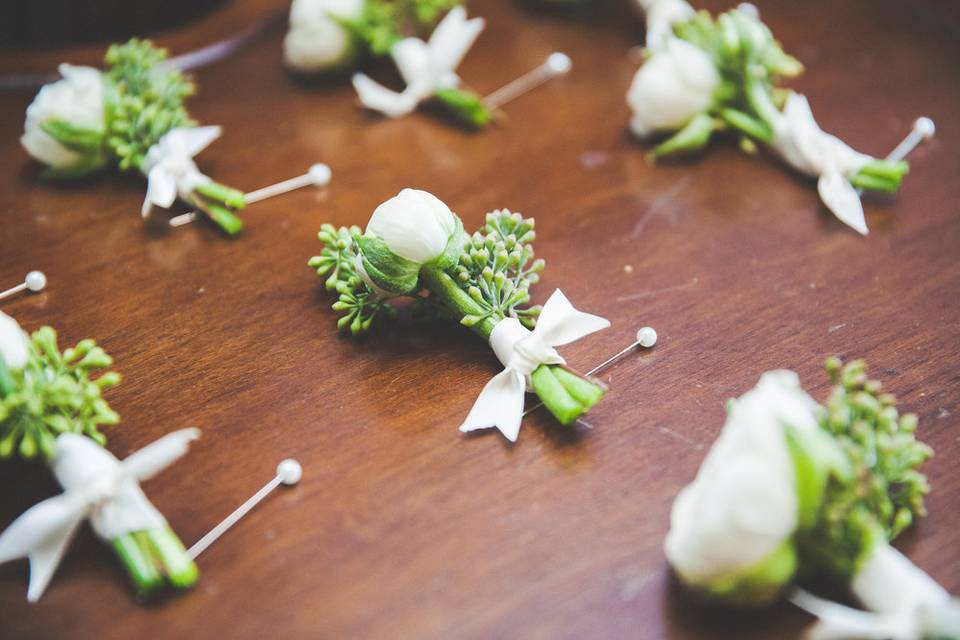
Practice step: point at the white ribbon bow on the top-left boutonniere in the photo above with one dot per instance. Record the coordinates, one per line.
(170, 168)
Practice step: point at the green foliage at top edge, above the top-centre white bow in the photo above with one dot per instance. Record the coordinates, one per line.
(383, 22)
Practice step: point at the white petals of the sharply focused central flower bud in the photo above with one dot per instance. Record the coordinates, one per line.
(414, 224)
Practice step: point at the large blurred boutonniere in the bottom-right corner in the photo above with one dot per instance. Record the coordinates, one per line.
(791, 488)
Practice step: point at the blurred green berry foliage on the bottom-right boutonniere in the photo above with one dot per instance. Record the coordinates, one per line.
(884, 493)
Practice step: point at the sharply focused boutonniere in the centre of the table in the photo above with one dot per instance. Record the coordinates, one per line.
(414, 245)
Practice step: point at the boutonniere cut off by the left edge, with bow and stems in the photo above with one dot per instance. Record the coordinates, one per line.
(51, 406)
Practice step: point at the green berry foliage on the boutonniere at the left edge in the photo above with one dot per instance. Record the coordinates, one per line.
(53, 394)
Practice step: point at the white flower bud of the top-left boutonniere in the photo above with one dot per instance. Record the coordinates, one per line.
(76, 99)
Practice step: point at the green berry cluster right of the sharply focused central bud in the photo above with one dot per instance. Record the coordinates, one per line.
(495, 268)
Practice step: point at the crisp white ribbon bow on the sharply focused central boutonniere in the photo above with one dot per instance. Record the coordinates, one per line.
(521, 351)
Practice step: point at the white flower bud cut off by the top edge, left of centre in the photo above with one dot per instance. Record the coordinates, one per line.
(316, 41)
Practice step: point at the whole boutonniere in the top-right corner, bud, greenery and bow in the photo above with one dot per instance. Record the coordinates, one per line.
(704, 75)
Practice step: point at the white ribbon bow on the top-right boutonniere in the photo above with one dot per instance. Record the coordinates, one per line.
(807, 148)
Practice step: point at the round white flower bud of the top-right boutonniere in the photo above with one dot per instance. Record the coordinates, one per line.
(674, 85)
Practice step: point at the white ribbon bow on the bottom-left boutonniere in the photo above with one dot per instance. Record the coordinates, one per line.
(96, 486)
